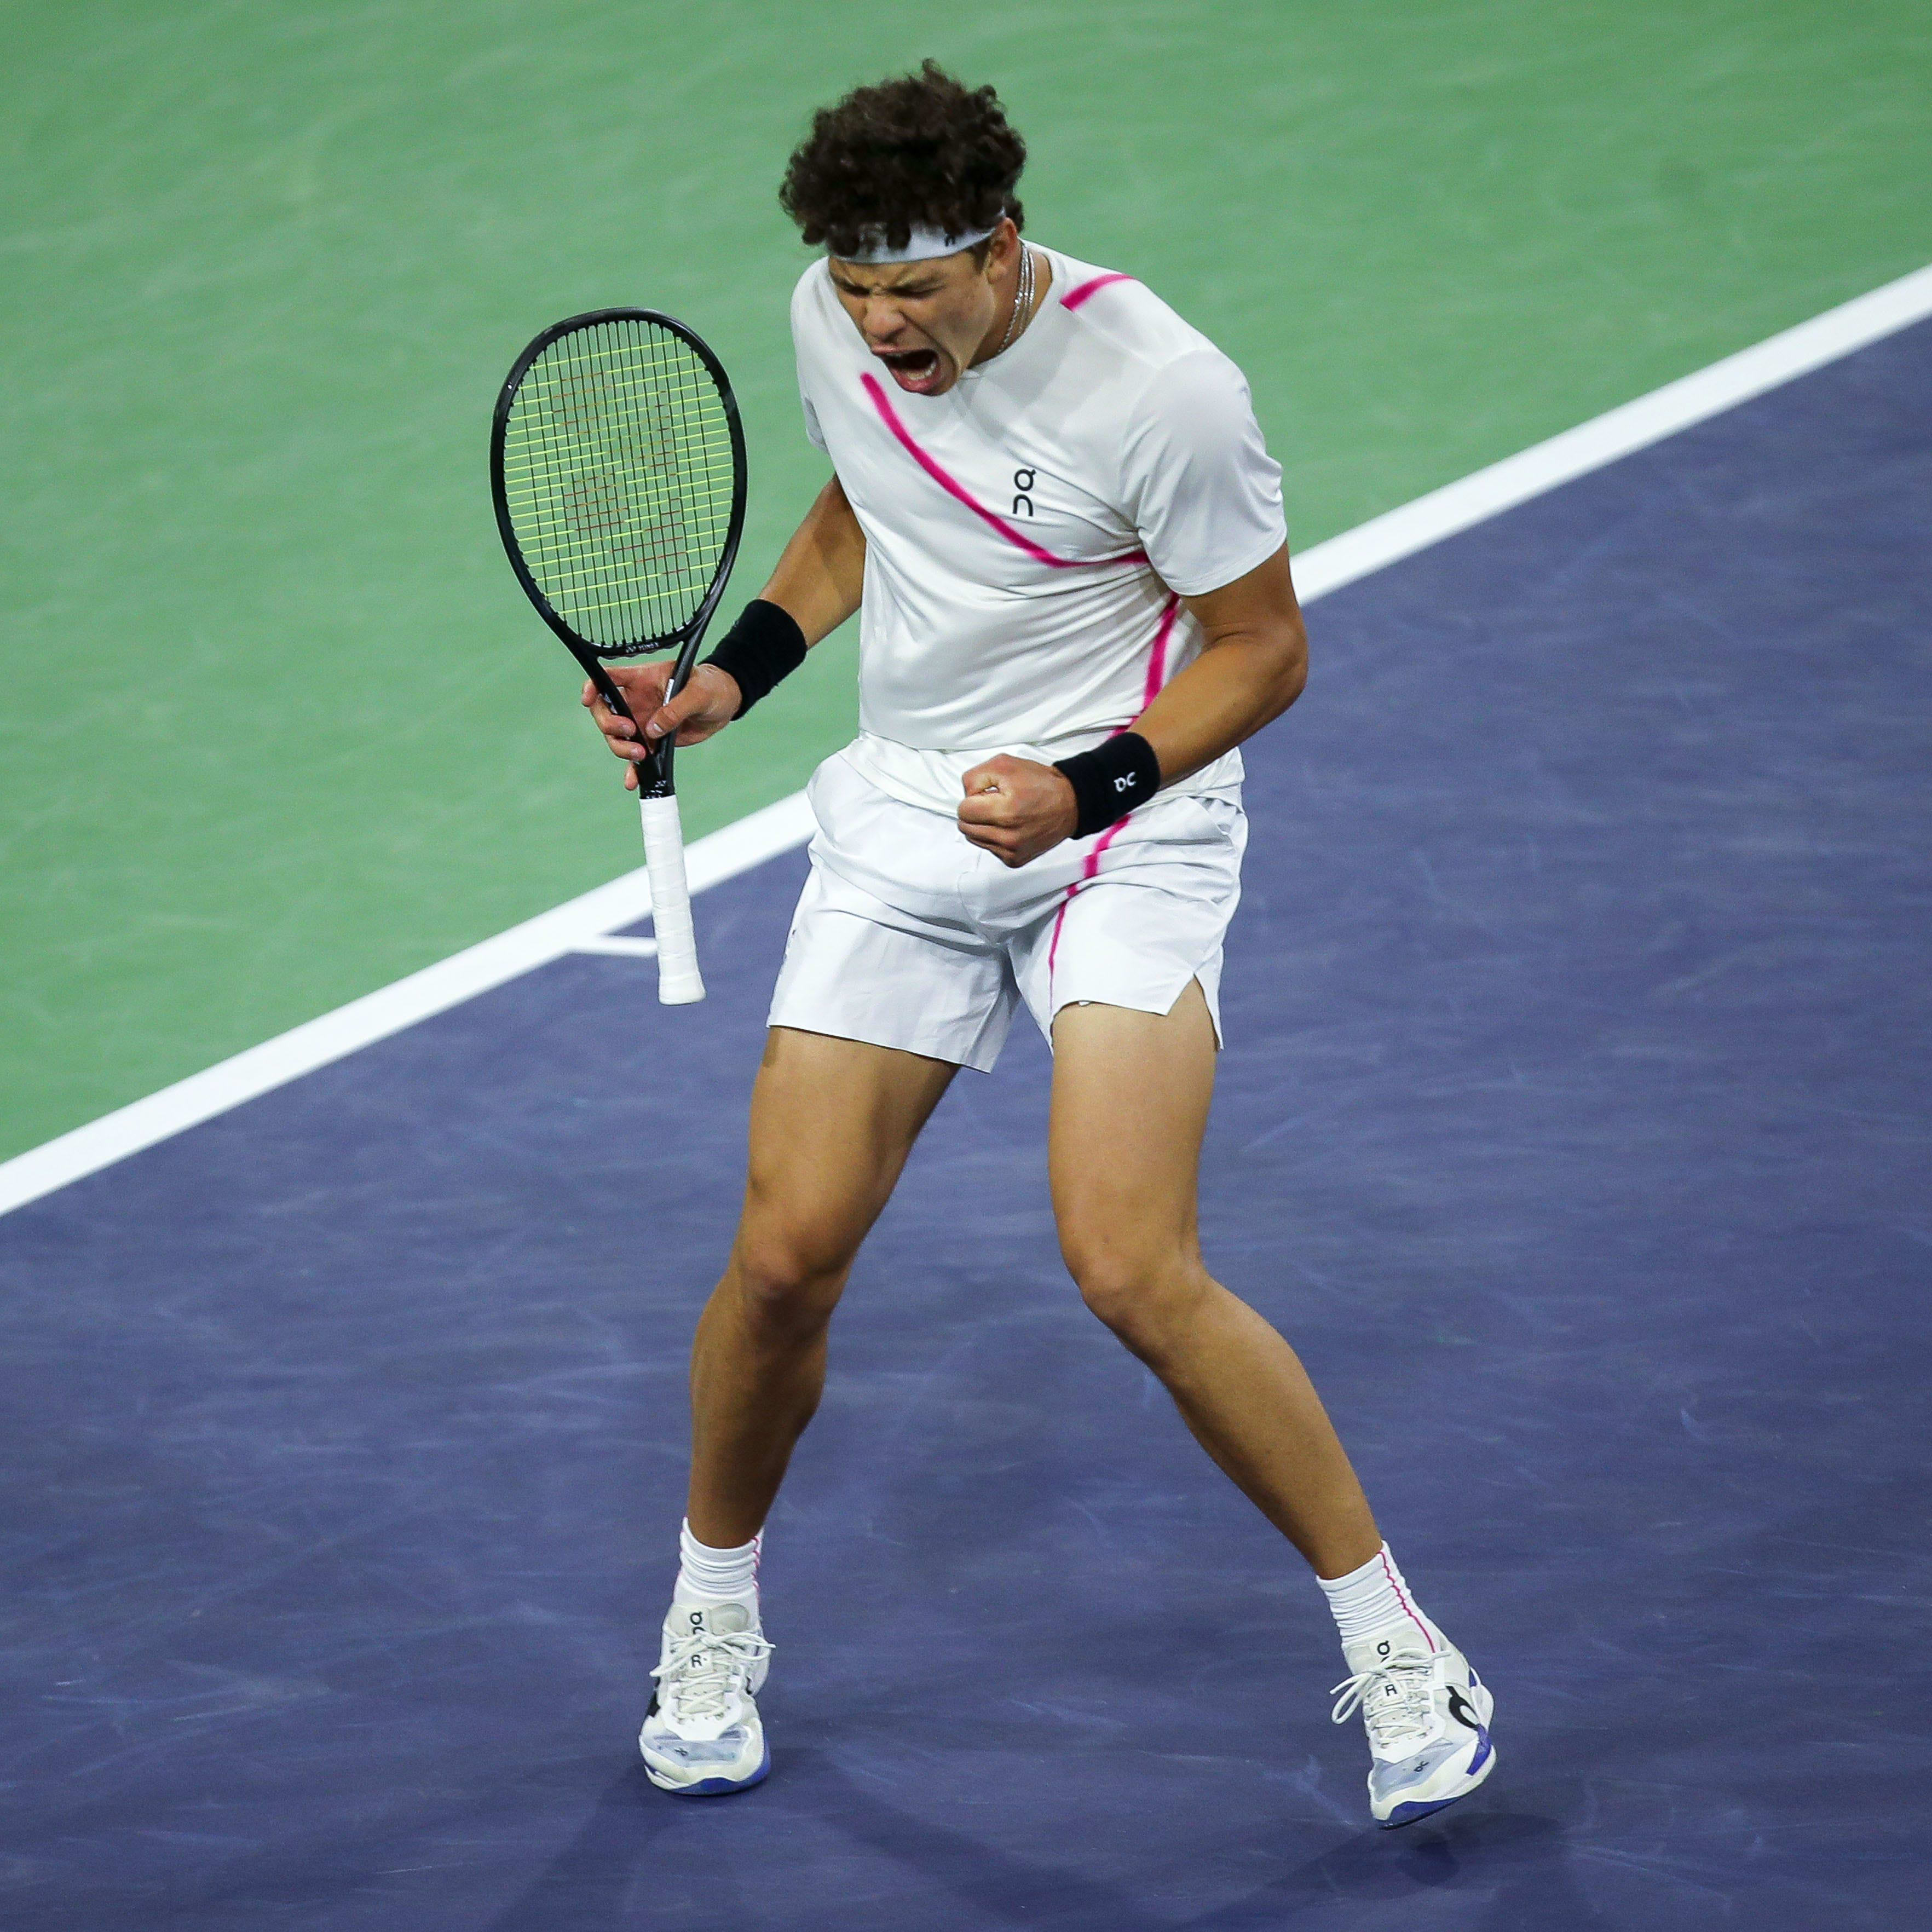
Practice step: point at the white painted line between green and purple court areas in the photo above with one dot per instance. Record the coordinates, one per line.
(586, 924)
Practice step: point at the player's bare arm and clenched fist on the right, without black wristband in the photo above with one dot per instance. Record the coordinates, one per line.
(1253, 666)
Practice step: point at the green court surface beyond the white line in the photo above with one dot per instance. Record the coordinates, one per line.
(277, 722)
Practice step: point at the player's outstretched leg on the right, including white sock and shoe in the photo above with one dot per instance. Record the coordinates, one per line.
(1129, 1108)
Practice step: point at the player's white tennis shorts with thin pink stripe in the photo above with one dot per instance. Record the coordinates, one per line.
(909, 936)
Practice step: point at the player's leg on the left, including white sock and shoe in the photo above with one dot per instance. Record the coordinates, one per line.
(832, 1125)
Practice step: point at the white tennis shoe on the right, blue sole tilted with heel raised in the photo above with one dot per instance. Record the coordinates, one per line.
(1427, 1717)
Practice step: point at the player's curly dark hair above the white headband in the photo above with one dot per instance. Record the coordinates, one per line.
(921, 150)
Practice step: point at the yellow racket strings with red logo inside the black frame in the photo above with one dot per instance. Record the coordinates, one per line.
(619, 478)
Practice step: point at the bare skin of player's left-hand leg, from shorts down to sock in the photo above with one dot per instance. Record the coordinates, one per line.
(832, 1127)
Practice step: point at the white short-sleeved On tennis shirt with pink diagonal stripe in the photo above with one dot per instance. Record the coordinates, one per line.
(1031, 534)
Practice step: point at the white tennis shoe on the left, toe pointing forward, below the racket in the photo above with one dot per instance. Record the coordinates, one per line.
(702, 1734)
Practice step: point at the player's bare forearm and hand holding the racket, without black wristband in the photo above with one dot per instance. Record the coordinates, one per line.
(818, 582)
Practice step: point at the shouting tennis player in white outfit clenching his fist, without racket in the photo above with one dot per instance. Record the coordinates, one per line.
(1056, 515)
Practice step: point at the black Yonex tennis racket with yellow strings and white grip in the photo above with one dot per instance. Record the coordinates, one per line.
(617, 465)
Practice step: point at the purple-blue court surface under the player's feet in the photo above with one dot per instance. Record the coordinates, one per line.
(1572, 1125)
